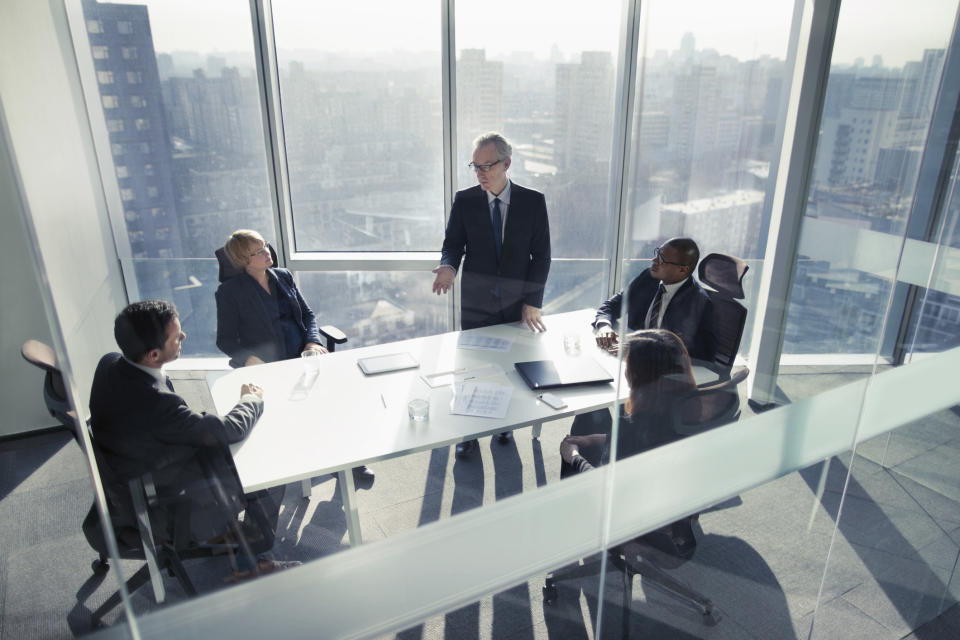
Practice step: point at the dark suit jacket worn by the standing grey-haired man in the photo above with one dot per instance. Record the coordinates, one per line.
(521, 273)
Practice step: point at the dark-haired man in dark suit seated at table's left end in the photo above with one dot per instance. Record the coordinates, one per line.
(141, 425)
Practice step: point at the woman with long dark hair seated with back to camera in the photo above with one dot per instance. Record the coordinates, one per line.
(659, 374)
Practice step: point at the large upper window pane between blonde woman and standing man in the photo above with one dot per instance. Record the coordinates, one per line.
(360, 100)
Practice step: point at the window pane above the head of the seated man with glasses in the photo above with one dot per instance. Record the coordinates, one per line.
(709, 84)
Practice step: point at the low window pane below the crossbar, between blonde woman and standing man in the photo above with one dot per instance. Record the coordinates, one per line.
(375, 307)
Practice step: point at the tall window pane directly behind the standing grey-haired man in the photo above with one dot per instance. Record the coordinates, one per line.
(546, 79)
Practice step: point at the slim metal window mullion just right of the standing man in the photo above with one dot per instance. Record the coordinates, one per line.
(622, 161)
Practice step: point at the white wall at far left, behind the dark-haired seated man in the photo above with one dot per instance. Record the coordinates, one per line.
(52, 150)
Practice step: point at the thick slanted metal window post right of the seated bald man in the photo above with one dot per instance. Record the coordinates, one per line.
(810, 49)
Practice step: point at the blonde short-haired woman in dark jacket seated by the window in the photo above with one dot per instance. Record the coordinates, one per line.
(261, 316)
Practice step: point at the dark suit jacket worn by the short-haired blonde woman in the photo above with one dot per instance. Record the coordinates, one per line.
(243, 325)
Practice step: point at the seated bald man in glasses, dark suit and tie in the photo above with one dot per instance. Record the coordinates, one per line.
(664, 296)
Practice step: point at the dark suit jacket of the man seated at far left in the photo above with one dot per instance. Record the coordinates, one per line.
(140, 426)
